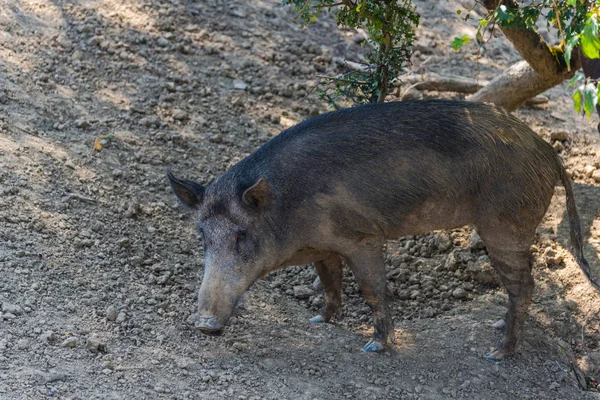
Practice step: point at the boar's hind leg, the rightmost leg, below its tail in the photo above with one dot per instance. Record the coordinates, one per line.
(514, 270)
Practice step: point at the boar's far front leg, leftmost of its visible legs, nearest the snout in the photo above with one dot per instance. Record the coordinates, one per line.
(330, 271)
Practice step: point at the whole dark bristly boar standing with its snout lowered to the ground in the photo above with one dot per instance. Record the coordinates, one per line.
(336, 186)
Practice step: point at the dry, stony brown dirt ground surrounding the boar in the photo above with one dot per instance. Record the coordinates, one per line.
(99, 265)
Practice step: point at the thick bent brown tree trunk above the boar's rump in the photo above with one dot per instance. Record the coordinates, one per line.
(542, 69)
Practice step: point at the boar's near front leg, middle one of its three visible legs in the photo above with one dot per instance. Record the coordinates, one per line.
(368, 268)
